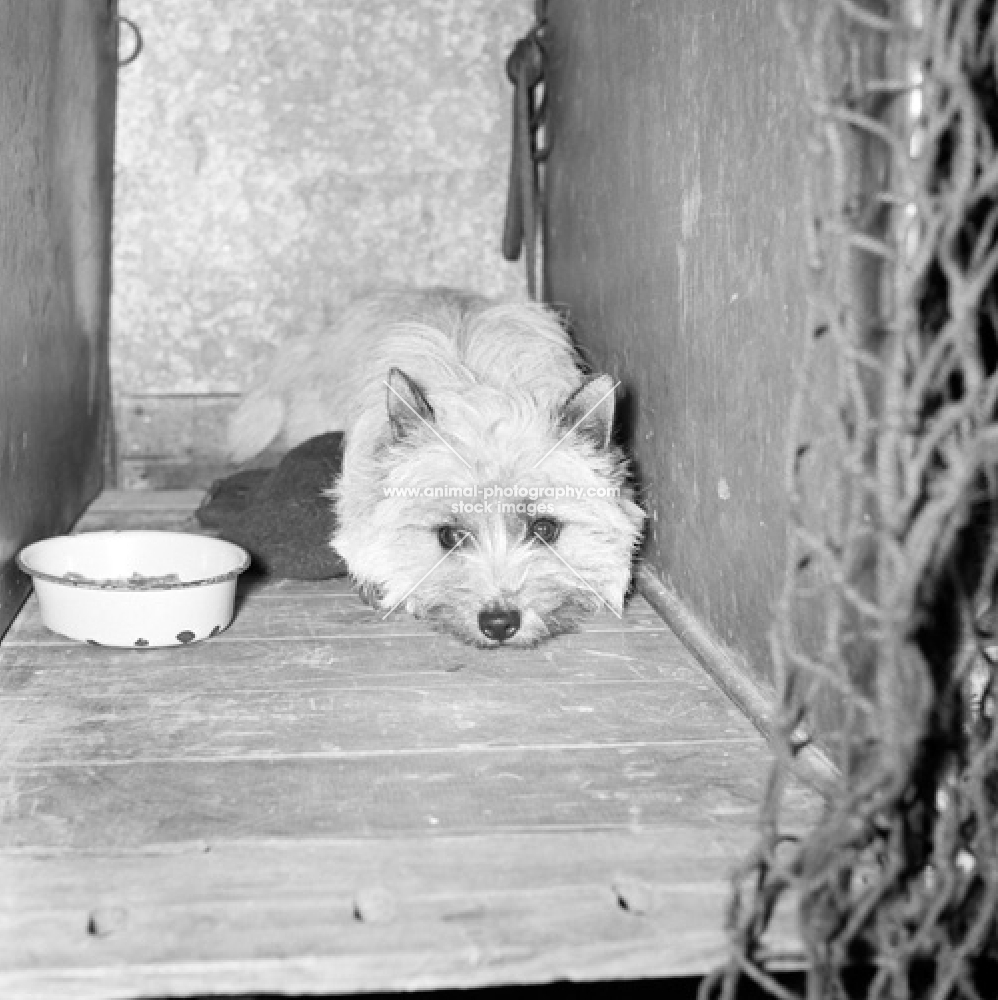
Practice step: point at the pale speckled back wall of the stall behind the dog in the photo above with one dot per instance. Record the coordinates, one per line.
(274, 157)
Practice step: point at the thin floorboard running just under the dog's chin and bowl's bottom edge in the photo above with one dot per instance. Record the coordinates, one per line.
(64, 672)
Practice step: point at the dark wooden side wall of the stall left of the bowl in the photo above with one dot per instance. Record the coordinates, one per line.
(57, 88)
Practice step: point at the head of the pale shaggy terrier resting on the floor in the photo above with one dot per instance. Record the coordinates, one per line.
(494, 516)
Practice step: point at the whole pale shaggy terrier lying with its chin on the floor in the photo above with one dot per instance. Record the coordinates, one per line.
(480, 487)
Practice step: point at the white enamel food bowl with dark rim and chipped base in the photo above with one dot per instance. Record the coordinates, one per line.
(135, 588)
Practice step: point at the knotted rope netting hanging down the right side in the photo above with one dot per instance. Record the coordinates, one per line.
(885, 639)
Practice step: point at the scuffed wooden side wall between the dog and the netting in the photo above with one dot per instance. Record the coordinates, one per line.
(676, 238)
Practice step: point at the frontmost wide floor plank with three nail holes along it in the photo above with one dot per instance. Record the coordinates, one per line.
(372, 914)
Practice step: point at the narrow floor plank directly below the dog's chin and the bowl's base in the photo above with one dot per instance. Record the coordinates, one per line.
(349, 659)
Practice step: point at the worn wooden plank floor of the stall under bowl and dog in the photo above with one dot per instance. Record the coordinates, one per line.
(319, 801)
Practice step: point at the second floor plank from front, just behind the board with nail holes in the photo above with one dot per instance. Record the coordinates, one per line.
(409, 793)
